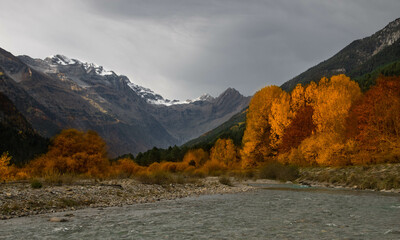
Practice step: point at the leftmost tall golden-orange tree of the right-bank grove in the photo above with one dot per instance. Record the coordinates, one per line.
(256, 138)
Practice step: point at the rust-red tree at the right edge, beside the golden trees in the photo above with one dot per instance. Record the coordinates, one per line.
(374, 122)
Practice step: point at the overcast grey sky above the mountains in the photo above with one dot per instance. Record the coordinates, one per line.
(184, 48)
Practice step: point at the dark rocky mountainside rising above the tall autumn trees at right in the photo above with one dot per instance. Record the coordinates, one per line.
(360, 57)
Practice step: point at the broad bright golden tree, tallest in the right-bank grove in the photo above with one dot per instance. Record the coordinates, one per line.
(331, 100)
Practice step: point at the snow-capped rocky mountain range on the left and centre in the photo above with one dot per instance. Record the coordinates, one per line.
(58, 92)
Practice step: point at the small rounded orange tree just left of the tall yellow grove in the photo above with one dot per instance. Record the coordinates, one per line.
(224, 151)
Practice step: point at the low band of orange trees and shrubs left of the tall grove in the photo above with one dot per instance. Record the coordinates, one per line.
(84, 154)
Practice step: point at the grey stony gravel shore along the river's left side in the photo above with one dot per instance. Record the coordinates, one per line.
(19, 199)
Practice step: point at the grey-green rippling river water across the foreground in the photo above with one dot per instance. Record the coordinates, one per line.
(274, 212)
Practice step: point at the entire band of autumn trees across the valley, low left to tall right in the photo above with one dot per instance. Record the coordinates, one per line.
(332, 123)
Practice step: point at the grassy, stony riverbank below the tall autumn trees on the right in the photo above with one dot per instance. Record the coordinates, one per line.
(380, 177)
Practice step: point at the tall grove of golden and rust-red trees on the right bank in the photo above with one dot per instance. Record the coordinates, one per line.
(329, 124)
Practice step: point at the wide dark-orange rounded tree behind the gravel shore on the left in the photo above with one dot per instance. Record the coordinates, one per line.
(74, 152)
